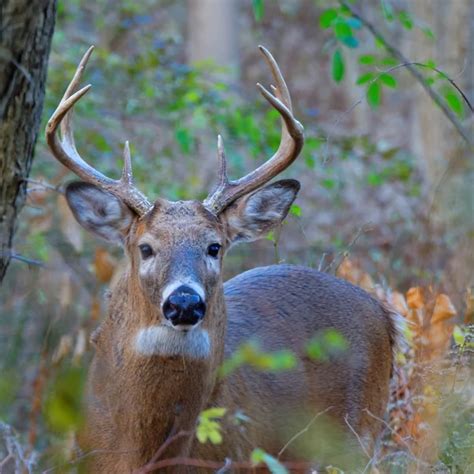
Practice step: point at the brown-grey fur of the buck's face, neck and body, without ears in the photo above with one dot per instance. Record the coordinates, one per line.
(135, 402)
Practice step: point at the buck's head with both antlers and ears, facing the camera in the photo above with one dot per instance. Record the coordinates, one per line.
(175, 249)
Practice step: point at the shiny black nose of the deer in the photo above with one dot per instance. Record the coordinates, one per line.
(184, 306)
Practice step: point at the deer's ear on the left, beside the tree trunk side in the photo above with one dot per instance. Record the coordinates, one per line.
(99, 211)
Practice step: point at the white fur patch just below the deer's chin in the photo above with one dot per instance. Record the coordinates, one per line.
(184, 340)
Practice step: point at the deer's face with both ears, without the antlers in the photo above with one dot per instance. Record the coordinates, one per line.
(176, 248)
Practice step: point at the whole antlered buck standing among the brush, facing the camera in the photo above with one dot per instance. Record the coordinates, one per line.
(172, 321)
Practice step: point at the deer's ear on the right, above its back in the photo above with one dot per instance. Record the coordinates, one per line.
(252, 217)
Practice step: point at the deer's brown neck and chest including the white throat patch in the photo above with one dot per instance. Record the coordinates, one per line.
(155, 392)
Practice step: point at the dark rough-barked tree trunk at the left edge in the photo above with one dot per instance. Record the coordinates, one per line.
(26, 29)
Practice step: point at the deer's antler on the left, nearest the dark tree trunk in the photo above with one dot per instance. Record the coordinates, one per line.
(64, 148)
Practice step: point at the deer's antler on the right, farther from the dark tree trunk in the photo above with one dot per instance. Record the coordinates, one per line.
(291, 143)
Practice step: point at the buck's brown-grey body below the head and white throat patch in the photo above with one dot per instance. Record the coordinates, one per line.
(137, 401)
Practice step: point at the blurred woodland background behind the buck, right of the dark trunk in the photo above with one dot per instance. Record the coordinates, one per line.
(387, 180)
